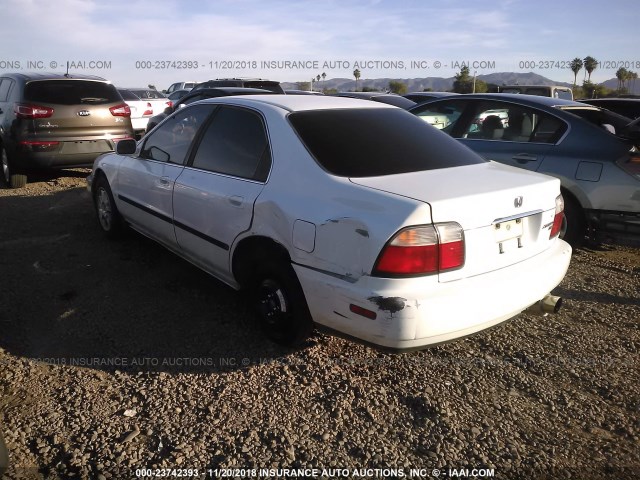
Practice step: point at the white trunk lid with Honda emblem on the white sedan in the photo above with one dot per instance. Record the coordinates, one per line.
(506, 213)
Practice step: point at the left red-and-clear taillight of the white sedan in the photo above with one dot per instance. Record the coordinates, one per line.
(422, 250)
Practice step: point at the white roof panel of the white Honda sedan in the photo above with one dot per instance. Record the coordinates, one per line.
(298, 103)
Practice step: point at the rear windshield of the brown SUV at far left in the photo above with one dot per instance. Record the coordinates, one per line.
(71, 92)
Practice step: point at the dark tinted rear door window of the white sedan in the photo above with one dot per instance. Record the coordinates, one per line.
(235, 143)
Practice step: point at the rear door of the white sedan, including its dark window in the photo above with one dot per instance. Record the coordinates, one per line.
(213, 198)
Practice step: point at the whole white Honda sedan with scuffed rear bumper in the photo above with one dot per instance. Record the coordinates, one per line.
(345, 214)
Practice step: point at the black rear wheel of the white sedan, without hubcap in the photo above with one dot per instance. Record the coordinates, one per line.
(281, 306)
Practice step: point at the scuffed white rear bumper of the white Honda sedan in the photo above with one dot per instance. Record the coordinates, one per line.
(421, 312)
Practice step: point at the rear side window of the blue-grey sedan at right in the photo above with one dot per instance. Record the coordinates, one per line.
(513, 123)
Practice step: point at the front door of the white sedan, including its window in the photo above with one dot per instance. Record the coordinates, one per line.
(146, 181)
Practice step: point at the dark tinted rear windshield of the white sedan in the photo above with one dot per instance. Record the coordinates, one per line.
(374, 142)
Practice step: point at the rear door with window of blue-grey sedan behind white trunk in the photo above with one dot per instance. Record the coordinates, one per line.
(509, 133)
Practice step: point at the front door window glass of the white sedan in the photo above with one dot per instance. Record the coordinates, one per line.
(170, 141)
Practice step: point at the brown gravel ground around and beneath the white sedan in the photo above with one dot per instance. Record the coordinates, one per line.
(116, 356)
